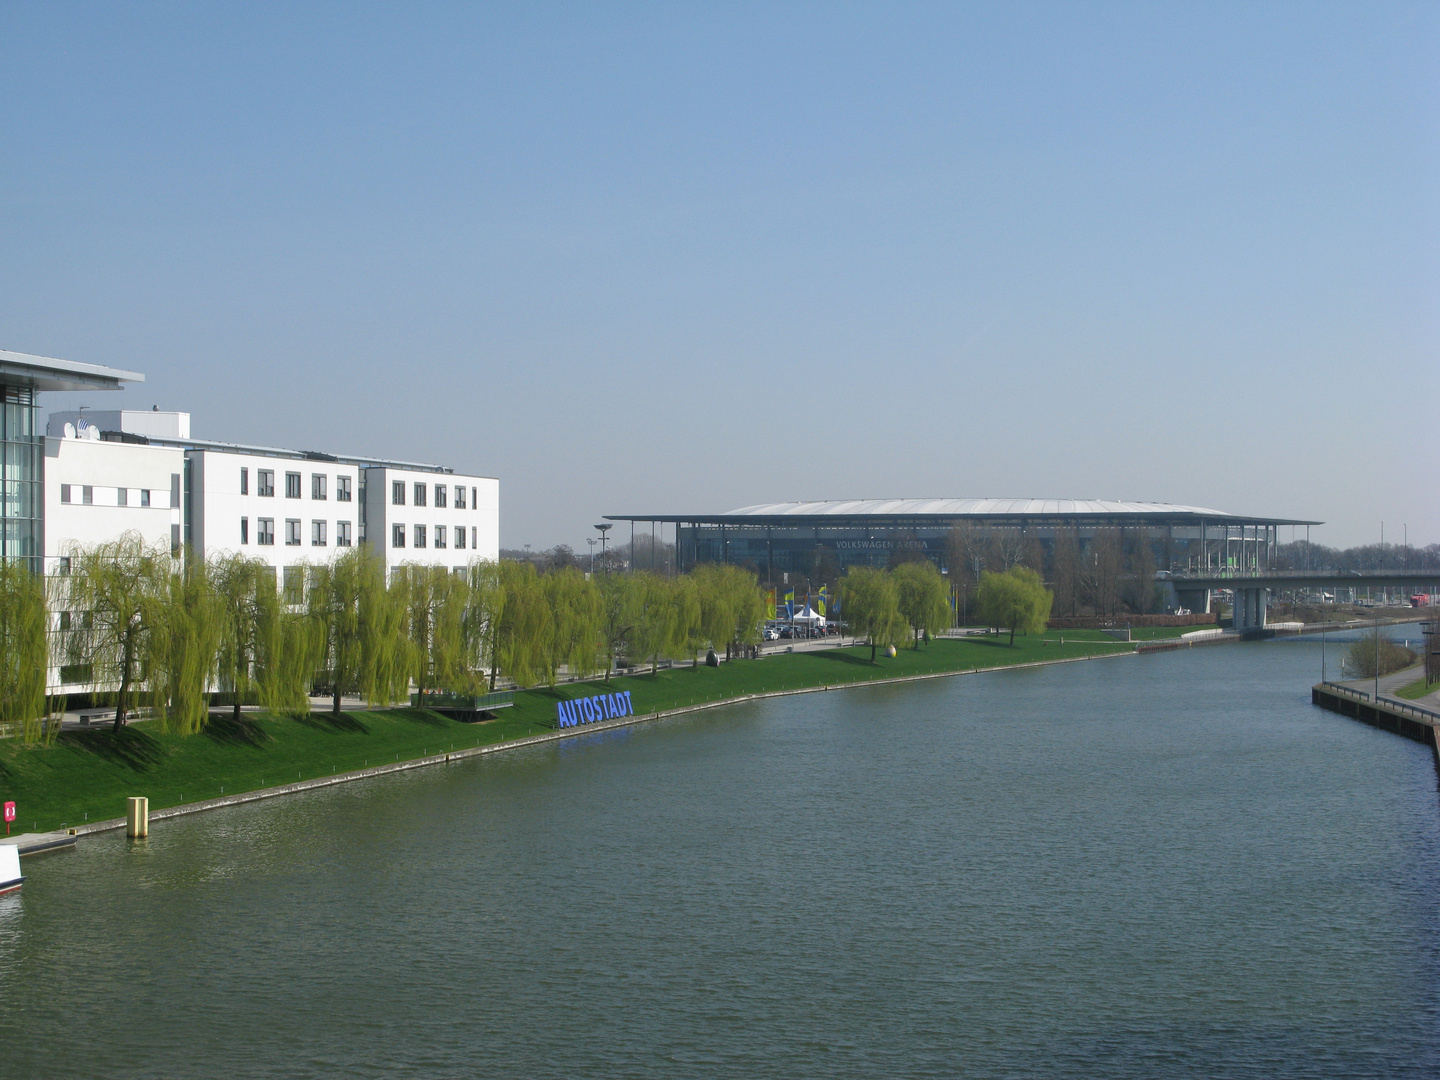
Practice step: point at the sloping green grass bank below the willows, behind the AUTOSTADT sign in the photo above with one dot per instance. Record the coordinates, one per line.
(86, 777)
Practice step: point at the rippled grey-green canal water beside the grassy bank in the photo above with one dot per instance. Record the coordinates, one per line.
(1153, 866)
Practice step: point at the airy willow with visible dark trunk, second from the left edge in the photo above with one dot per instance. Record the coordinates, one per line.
(119, 594)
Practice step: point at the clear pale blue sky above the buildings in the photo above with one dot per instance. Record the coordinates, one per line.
(685, 258)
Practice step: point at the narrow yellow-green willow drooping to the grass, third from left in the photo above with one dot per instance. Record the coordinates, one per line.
(188, 640)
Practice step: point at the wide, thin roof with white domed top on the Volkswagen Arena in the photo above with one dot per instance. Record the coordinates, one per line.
(921, 510)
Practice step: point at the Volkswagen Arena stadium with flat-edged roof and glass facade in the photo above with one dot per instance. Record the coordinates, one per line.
(788, 538)
